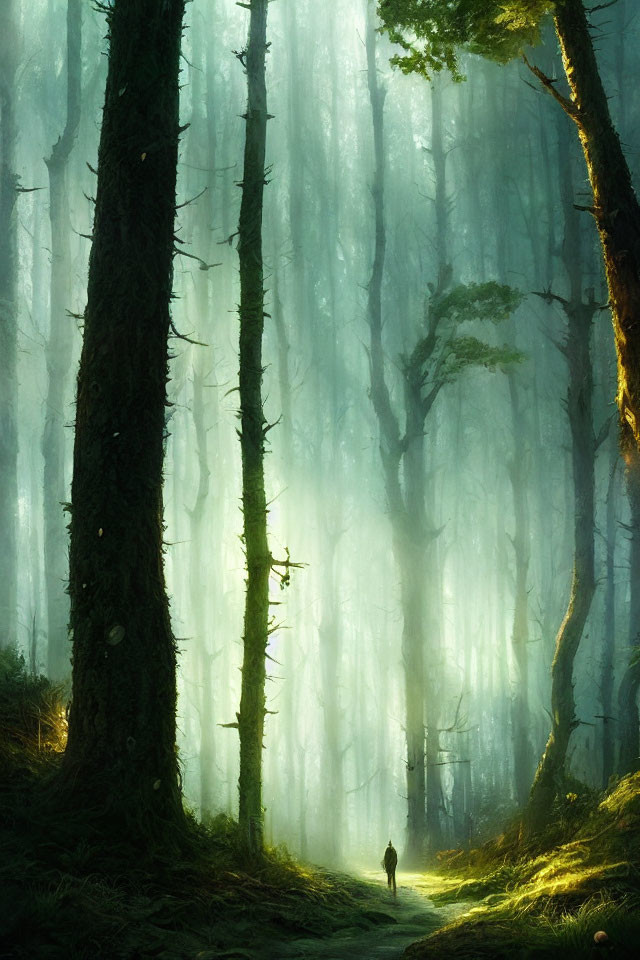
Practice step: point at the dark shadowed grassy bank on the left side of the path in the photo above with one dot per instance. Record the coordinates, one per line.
(69, 893)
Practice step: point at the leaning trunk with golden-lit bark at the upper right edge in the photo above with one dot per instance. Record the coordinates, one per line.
(616, 208)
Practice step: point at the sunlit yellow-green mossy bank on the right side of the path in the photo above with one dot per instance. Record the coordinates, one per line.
(537, 902)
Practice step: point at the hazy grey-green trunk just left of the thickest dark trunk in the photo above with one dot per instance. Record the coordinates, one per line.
(58, 355)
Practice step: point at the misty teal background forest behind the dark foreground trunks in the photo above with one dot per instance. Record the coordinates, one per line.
(472, 180)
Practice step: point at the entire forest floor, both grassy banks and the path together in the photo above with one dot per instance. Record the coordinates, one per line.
(68, 892)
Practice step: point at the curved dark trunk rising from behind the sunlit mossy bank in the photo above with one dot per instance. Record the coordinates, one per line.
(577, 349)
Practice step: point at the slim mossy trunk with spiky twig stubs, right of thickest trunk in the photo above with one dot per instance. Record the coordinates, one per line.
(259, 560)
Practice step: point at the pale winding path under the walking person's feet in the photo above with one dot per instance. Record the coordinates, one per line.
(414, 914)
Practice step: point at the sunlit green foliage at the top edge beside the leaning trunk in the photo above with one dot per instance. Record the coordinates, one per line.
(431, 32)
